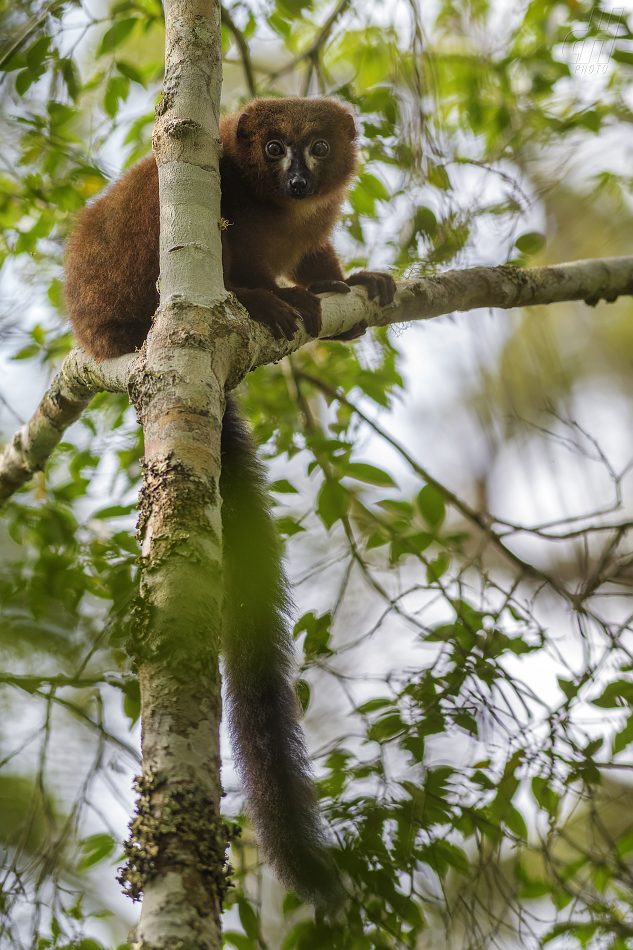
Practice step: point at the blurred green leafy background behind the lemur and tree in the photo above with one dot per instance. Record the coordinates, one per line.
(477, 695)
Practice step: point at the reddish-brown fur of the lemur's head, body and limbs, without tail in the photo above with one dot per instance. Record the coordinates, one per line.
(112, 257)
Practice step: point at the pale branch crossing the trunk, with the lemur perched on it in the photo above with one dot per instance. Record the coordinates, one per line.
(503, 287)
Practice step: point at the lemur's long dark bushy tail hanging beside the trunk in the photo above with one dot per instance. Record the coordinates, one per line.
(263, 709)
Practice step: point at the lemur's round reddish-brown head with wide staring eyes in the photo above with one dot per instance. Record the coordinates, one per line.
(297, 149)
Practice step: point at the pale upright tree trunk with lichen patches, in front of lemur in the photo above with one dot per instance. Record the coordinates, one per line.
(177, 849)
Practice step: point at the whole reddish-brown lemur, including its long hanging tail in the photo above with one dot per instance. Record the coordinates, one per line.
(285, 168)
